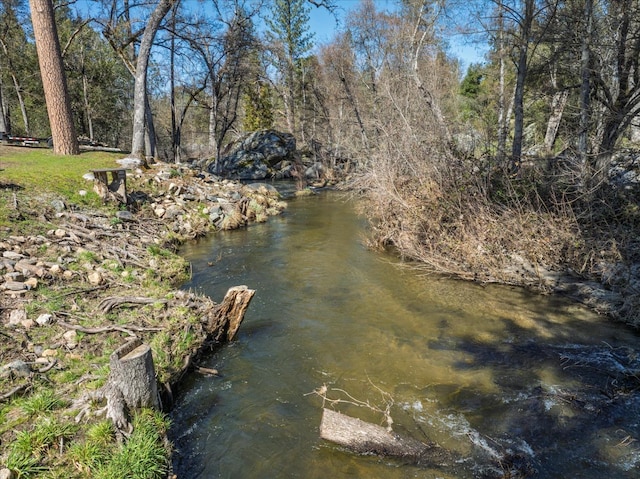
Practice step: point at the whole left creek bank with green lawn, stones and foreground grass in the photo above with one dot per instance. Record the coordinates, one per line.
(90, 269)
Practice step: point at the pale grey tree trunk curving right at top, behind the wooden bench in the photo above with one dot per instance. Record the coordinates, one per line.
(140, 87)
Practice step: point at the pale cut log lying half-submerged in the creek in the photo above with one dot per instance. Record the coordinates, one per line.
(366, 438)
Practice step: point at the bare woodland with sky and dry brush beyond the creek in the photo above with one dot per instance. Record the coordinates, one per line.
(522, 164)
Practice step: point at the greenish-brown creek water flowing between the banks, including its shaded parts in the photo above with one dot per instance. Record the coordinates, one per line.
(513, 384)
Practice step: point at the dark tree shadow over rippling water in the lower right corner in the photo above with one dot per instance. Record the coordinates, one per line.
(571, 407)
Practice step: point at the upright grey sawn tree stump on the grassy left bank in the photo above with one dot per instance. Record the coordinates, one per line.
(132, 382)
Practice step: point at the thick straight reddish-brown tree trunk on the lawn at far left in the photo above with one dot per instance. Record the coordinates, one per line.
(54, 82)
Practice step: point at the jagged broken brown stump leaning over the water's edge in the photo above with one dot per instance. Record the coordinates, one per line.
(224, 322)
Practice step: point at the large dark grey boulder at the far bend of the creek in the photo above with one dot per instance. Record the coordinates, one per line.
(254, 156)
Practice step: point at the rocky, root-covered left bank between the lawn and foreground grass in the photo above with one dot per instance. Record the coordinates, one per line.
(87, 281)
